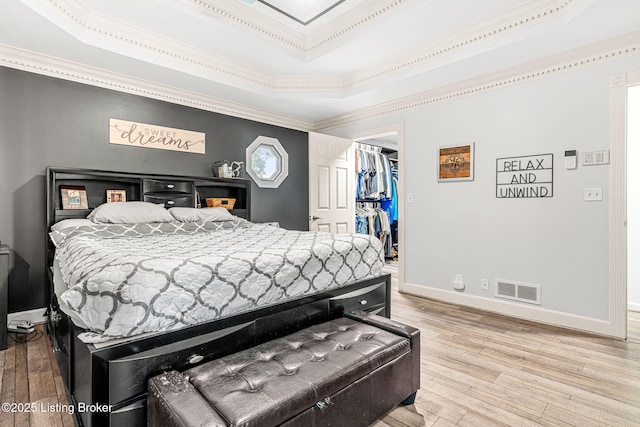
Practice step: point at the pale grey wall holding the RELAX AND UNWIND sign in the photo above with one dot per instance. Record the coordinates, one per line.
(560, 243)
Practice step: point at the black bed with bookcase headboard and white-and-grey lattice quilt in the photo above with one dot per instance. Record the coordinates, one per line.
(159, 283)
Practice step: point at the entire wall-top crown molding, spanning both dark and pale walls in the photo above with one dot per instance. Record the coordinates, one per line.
(613, 49)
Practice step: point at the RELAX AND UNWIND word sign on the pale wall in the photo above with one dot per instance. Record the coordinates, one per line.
(524, 177)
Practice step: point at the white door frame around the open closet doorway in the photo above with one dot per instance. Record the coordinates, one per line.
(379, 132)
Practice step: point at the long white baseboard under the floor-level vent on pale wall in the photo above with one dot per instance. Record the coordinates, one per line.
(508, 308)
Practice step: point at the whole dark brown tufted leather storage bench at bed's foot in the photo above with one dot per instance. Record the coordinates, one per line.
(348, 371)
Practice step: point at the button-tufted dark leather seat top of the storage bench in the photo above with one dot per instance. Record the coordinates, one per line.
(270, 383)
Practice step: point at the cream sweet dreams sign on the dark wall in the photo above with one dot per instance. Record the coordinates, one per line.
(135, 134)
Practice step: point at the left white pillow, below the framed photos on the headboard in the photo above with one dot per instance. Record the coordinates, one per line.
(130, 213)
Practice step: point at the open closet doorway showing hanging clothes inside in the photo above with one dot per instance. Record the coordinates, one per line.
(381, 201)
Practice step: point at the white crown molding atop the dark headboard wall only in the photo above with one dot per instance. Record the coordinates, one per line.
(45, 65)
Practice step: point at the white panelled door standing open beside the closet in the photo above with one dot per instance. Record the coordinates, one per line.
(331, 184)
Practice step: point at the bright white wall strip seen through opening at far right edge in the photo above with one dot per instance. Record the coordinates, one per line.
(633, 199)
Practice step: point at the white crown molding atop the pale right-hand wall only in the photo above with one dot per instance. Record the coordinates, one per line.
(613, 49)
